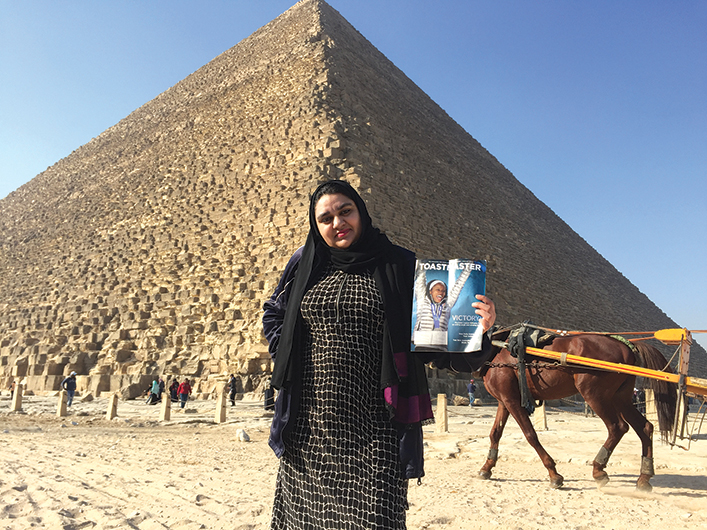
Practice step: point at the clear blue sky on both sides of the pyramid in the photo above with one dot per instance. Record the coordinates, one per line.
(599, 108)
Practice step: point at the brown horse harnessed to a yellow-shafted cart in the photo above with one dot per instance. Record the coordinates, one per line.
(609, 394)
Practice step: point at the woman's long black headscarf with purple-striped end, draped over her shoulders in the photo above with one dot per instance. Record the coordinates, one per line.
(393, 271)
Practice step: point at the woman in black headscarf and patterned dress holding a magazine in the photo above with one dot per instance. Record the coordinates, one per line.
(353, 398)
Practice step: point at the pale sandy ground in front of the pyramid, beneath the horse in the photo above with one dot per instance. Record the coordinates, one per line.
(83, 471)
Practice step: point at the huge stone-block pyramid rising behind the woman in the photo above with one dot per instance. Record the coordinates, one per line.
(151, 249)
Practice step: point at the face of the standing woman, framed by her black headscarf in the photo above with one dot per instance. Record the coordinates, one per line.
(338, 220)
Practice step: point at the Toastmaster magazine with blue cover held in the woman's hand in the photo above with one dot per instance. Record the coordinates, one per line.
(443, 319)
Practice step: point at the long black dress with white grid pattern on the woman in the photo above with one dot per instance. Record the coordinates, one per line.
(341, 468)
